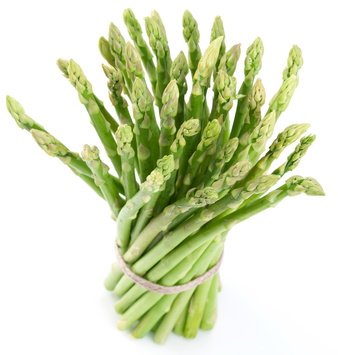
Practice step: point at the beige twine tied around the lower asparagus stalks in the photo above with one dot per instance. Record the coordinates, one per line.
(165, 290)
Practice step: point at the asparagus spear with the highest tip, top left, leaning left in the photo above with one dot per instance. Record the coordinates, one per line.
(135, 32)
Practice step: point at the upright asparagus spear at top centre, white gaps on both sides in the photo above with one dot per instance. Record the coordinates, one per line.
(192, 37)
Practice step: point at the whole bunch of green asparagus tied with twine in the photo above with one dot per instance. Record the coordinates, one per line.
(187, 172)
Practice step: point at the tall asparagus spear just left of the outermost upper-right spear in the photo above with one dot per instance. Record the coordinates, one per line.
(252, 65)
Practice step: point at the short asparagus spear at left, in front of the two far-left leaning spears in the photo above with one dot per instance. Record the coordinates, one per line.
(102, 178)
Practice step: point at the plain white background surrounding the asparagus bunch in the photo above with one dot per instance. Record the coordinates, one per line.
(280, 268)
